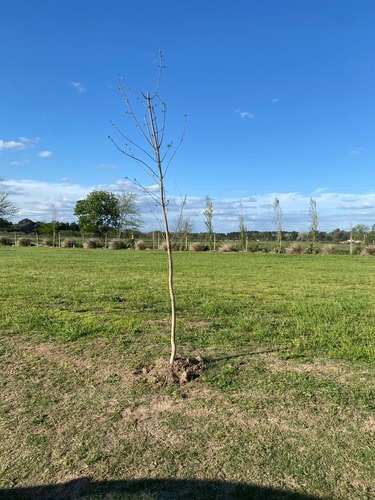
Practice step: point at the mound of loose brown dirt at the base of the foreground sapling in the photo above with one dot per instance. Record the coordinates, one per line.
(183, 370)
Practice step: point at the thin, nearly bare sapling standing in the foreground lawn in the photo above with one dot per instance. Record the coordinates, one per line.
(154, 157)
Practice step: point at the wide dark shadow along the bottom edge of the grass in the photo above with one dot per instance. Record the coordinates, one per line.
(150, 489)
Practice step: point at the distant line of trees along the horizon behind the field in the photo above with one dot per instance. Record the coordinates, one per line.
(102, 213)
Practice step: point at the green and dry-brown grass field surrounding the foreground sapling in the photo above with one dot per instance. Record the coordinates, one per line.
(285, 406)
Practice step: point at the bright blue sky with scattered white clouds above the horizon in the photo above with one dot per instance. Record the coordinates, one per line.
(279, 97)
